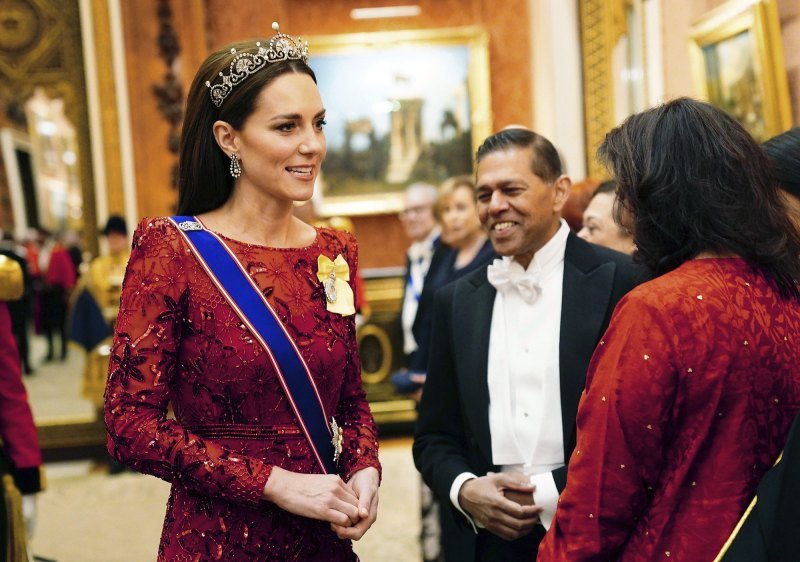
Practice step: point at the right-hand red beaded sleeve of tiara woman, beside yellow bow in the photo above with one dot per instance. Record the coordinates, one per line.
(360, 446)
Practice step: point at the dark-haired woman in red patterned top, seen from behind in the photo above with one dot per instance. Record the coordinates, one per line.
(693, 388)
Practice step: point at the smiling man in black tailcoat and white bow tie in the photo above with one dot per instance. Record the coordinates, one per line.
(510, 349)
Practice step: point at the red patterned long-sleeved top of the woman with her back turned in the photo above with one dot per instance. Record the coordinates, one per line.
(689, 399)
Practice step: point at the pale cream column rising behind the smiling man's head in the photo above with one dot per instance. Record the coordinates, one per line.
(558, 80)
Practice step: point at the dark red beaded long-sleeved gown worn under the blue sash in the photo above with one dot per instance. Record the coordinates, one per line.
(179, 344)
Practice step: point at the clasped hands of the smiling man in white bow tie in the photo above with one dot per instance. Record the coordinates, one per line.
(483, 499)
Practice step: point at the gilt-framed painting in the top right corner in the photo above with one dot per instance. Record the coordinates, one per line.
(738, 65)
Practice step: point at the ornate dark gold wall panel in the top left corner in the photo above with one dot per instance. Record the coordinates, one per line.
(40, 46)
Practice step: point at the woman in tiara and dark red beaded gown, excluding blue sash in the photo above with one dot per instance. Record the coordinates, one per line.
(245, 484)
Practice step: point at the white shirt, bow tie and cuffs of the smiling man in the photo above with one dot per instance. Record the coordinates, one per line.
(523, 371)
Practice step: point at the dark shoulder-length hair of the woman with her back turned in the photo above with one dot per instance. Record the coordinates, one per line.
(694, 180)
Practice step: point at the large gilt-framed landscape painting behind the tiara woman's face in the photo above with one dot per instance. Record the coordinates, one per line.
(402, 106)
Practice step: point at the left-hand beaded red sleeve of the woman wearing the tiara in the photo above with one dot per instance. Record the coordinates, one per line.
(145, 360)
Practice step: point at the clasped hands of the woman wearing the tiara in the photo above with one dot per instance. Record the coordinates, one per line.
(351, 508)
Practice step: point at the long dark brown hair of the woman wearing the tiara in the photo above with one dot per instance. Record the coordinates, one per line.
(204, 180)
